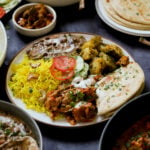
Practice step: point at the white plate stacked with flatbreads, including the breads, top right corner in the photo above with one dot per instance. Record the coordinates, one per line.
(130, 17)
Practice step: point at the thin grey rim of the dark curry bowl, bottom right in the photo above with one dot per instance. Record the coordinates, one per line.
(115, 114)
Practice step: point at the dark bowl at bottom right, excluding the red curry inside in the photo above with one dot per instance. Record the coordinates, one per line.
(123, 119)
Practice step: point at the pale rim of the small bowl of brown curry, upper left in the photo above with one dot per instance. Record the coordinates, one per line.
(23, 7)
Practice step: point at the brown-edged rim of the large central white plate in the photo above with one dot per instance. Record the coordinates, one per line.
(23, 50)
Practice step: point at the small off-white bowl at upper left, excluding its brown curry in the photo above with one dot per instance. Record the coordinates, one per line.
(33, 32)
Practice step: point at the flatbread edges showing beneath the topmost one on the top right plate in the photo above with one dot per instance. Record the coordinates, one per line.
(116, 18)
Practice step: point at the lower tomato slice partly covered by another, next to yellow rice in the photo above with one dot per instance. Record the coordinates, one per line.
(59, 75)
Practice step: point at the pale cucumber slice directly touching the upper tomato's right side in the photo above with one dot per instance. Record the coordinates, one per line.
(79, 64)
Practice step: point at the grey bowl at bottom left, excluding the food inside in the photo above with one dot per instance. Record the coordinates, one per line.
(15, 111)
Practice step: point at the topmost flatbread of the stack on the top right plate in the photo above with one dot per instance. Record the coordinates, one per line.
(137, 11)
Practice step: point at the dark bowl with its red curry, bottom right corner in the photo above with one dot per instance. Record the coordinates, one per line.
(129, 127)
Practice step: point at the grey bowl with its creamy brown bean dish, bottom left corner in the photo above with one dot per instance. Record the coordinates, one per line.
(17, 129)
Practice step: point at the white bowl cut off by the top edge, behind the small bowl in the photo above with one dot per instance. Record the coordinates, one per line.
(56, 3)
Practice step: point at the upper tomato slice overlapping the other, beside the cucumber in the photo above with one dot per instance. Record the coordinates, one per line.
(64, 63)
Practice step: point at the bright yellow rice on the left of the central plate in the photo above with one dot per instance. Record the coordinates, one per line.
(29, 91)
